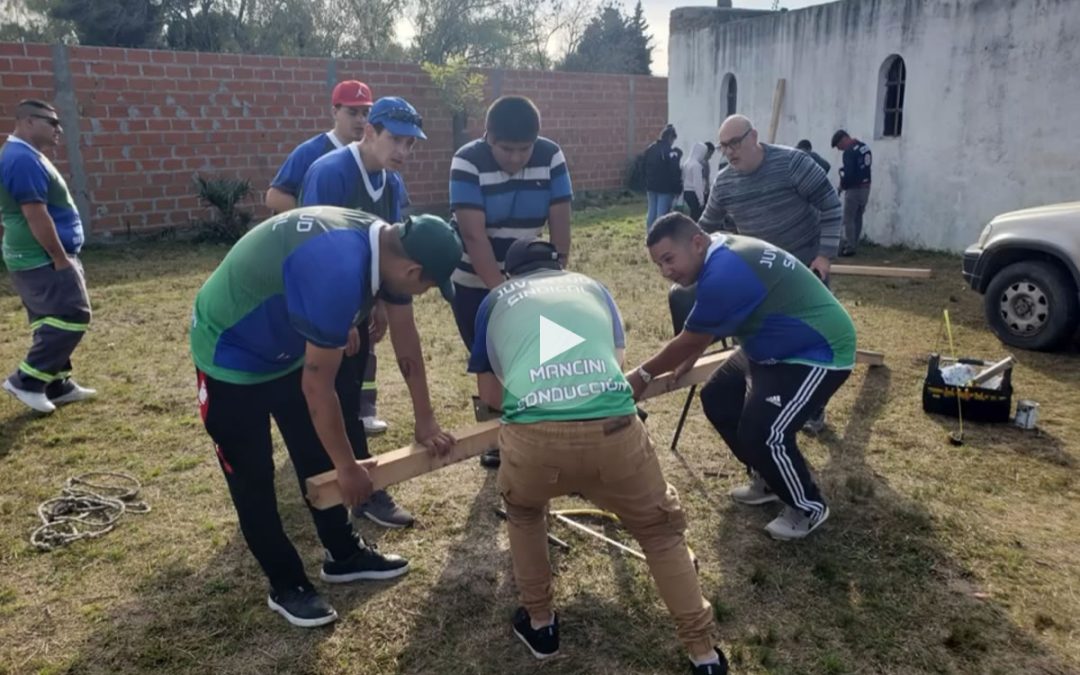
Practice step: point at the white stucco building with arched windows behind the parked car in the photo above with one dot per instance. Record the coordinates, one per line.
(982, 115)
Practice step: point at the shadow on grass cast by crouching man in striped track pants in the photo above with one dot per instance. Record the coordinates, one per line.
(873, 591)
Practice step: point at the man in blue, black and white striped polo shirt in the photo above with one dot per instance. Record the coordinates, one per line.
(505, 187)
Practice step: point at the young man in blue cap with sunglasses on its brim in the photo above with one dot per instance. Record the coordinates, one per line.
(363, 177)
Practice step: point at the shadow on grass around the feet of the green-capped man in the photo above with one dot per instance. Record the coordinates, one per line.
(214, 618)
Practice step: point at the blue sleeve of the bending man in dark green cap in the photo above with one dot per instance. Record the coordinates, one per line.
(325, 288)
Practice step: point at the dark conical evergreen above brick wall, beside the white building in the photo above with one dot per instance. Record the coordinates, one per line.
(614, 43)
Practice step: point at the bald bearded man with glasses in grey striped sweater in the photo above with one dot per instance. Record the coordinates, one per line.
(775, 194)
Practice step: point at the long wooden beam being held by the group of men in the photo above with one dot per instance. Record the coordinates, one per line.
(415, 461)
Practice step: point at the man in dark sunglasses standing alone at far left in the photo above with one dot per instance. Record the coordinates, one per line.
(43, 237)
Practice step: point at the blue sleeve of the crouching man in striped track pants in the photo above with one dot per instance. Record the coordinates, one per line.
(727, 295)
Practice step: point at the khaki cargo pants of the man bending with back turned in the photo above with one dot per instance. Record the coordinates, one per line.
(613, 464)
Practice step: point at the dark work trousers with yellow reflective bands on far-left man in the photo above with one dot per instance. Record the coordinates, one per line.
(58, 307)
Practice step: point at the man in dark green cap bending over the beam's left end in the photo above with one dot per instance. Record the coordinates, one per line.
(268, 333)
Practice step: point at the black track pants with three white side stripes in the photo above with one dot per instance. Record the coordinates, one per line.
(759, 410)
